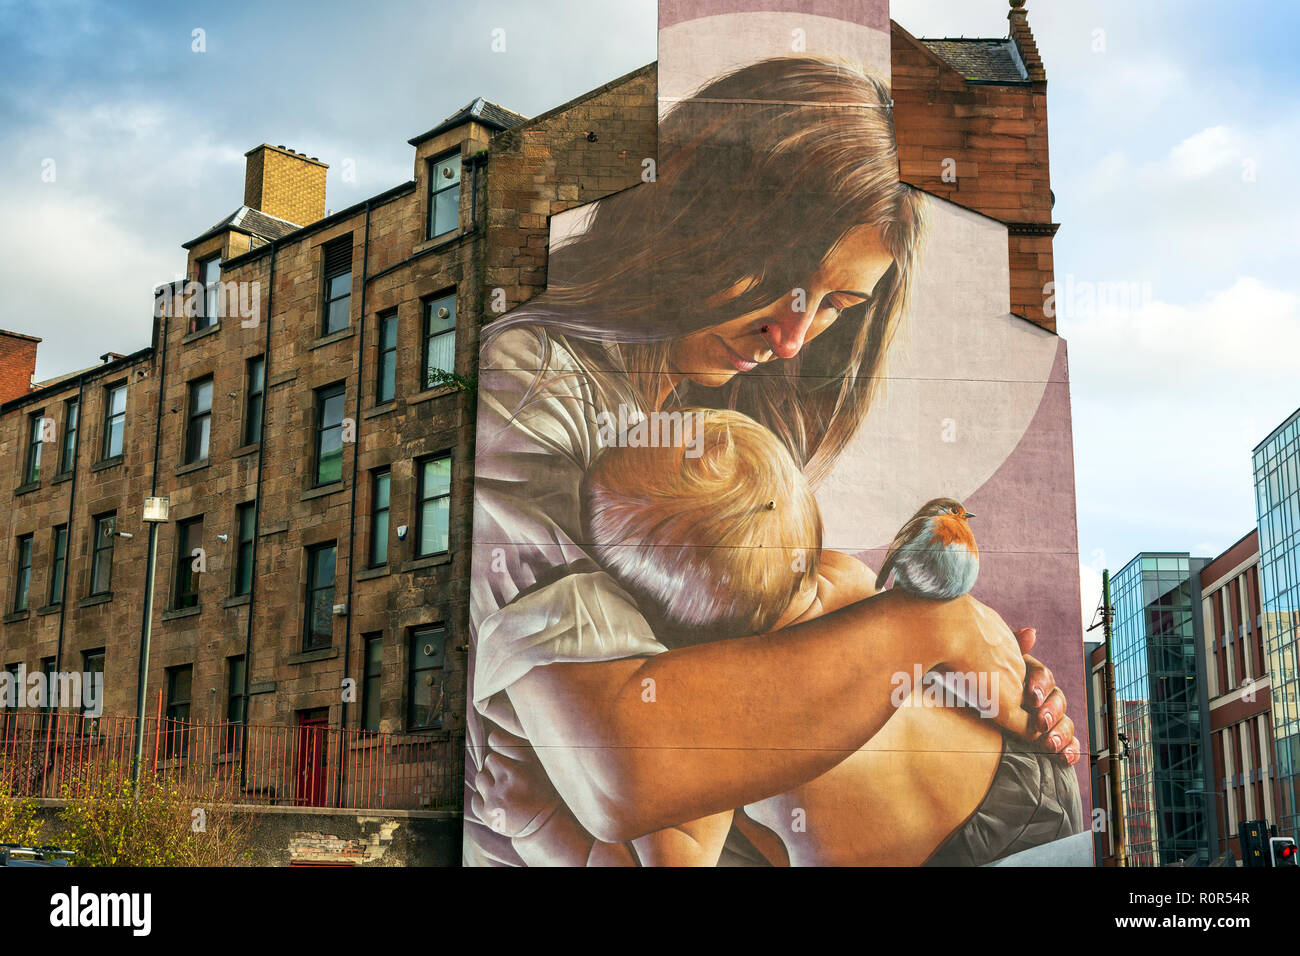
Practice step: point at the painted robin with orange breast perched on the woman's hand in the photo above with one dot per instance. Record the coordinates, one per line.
(935, 555)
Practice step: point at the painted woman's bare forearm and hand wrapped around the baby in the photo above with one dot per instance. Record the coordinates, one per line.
(636, 746)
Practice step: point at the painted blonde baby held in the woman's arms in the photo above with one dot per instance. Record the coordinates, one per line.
(721, 537)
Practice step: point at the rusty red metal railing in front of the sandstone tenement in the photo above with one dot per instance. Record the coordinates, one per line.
(44, 755)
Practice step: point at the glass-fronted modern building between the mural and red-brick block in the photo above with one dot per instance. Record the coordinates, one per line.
(1156, 599)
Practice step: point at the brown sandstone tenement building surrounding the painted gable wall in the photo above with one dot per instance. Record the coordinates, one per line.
(306, 403)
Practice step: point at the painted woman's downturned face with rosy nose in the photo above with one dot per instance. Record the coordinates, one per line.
(847, 276)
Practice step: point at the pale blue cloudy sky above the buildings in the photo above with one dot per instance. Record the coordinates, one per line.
(1173, 129)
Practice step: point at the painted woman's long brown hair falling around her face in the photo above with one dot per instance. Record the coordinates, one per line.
(761, 174)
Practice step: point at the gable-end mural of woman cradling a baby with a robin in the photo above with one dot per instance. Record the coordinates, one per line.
(761, 481)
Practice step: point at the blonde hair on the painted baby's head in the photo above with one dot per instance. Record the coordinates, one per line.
(718, 533)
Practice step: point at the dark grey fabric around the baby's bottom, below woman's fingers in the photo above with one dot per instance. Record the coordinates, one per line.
(1034, 801)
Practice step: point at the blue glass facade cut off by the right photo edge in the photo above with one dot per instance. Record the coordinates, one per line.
(1277, 501)
